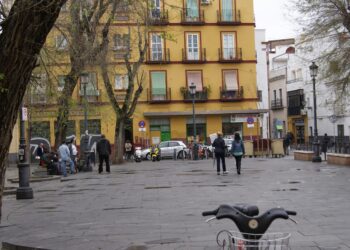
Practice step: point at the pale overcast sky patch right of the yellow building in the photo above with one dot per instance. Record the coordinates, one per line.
(271, 15)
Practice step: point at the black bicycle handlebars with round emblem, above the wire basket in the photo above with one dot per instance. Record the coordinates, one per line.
(249, 223)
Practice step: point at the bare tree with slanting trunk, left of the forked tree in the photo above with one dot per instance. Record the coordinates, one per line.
(81, 31)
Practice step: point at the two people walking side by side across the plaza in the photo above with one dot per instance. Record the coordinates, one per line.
(237, 150)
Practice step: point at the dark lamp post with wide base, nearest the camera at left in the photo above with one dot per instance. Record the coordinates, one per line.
(24, 191)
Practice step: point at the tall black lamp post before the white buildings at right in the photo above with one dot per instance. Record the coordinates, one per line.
(313, 72)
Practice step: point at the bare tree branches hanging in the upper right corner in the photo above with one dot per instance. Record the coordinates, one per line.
(326, 26)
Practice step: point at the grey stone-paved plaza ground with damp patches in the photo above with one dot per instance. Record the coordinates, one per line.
(158, 205)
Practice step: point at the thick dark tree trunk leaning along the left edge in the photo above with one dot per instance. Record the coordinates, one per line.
(20, 44)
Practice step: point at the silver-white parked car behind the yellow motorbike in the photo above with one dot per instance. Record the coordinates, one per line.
(167, 150)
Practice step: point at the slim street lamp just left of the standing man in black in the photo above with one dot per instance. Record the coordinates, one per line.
(84, 80)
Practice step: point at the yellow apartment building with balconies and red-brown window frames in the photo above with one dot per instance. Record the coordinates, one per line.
(203, 42)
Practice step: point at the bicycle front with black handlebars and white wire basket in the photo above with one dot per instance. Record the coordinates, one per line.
(252, 228)
